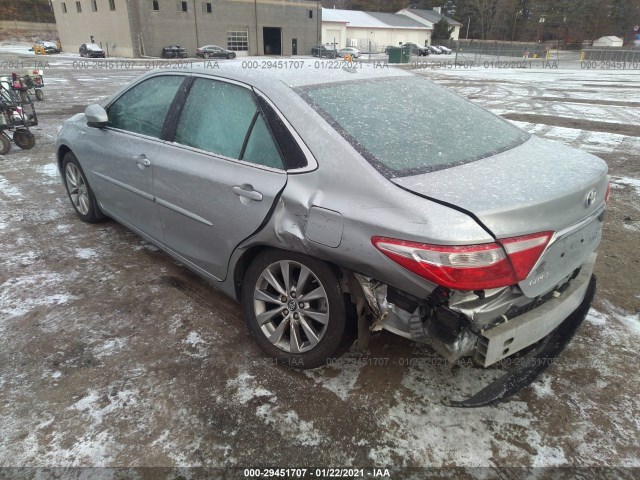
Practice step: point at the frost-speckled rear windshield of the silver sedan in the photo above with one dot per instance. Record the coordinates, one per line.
(409, 125)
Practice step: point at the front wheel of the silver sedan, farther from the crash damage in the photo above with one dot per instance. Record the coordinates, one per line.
(79, 191)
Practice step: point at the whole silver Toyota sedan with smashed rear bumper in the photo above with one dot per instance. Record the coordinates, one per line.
(311, 198)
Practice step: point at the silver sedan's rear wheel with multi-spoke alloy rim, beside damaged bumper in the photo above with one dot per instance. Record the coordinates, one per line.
(295, 309)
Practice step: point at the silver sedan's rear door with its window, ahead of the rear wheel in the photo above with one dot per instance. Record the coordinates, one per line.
(217, 181)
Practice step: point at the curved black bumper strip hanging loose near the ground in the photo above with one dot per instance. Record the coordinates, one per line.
(534, 362)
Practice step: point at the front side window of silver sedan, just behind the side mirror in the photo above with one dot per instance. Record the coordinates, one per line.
(143, 108)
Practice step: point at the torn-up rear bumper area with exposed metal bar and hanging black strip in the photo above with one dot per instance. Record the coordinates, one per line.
(546, 328)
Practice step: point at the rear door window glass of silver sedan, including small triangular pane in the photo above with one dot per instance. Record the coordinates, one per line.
(224, 119)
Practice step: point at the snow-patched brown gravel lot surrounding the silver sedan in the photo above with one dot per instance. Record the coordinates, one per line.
(112, 354)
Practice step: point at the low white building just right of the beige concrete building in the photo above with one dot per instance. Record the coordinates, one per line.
(354, 28)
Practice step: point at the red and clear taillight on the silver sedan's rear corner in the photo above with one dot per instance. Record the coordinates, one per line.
(468, 267)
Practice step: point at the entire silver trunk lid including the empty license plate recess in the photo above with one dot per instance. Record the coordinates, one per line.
(538, 186)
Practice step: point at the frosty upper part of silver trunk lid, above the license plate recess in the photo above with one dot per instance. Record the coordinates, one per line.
(537, 186)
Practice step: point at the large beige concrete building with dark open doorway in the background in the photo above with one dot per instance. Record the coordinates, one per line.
(138, 28)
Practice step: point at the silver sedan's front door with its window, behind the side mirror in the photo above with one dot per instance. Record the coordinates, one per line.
(120, 158)
